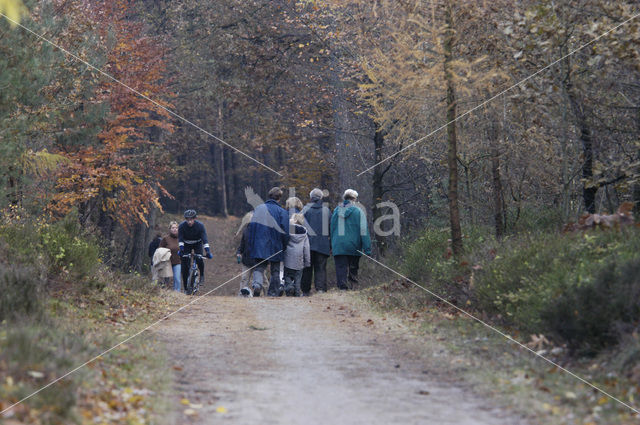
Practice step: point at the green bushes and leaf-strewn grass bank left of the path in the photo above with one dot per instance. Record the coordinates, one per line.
(59, 307)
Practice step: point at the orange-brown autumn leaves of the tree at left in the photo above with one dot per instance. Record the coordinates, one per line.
(120, 173)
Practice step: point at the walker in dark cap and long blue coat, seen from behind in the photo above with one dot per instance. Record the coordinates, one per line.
(268, 236)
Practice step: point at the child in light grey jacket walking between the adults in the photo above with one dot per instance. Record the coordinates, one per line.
(296, 257)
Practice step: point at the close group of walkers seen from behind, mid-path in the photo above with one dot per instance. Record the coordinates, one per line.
(301, 239)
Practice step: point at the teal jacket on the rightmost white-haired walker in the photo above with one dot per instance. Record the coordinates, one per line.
(349, 231)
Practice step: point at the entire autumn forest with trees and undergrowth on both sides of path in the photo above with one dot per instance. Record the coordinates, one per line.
(486, 155)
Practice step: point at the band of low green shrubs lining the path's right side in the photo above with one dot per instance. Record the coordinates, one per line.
(579, 289)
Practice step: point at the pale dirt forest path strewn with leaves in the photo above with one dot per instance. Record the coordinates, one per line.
(315, 360)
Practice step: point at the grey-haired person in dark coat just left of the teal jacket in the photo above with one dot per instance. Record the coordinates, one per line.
(317, 217)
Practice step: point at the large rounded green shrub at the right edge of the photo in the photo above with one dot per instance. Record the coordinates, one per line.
(563, 285)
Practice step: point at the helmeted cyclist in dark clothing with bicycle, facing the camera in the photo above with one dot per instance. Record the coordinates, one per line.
(192, 236)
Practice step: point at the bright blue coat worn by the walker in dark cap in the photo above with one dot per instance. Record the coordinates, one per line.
(268, 232)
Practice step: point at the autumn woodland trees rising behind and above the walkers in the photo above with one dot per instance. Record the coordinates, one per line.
(321, 91)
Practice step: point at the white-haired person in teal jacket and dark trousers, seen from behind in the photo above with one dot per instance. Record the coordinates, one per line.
(349, 239)
